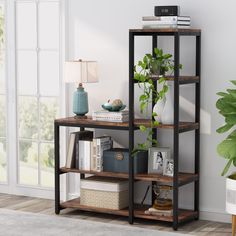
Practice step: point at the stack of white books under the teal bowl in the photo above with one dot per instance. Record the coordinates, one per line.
(121, 116)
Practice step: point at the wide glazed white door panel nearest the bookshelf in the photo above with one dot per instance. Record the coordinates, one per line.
(38, 80)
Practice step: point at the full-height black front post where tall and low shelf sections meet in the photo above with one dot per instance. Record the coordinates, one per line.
(131, 127)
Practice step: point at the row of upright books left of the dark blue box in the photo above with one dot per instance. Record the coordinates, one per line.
(85, 152)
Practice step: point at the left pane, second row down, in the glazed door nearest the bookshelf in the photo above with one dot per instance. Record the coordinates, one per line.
(27, 73)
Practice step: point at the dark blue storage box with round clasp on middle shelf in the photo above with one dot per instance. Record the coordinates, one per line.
(117, 160)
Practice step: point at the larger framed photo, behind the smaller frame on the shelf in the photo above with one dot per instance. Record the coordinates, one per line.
(156, 159)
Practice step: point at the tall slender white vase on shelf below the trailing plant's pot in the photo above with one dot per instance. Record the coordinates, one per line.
(167, 116)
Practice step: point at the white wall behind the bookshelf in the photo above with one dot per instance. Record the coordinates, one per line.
(98, 30)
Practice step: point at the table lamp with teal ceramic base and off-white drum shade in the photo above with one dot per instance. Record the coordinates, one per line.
(80, 72)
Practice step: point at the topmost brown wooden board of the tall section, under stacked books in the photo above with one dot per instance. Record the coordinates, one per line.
(166, 31)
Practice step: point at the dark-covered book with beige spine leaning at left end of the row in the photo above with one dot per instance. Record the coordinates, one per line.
(72, 158)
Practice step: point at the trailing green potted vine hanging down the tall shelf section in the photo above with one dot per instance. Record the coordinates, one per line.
(151, 68)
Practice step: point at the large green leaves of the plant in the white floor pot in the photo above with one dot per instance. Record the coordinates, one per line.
(226, 105)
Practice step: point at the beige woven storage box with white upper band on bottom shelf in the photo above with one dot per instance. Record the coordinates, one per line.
(104, 192)
